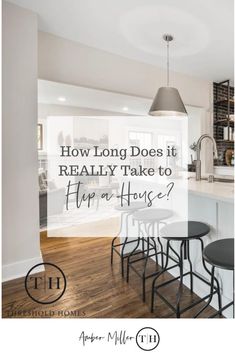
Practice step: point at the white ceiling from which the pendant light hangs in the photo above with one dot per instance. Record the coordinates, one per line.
(203, 30)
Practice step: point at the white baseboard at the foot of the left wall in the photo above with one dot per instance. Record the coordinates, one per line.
(20, 268)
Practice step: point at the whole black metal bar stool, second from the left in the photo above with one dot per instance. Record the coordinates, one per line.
(147, 218)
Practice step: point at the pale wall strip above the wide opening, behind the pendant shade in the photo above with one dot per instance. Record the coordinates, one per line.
(66, 61)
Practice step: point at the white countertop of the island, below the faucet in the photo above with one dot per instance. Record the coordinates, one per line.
(216, 191)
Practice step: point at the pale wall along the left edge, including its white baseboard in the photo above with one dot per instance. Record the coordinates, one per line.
(20, 184)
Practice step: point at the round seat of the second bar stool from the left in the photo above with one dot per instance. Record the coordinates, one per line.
(152, 215)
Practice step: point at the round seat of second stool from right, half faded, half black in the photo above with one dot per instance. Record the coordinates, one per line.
(176, 230)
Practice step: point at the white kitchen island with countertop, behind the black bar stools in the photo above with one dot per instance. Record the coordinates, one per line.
(212, 203)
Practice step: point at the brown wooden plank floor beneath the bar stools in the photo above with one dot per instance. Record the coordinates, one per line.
(94, 288)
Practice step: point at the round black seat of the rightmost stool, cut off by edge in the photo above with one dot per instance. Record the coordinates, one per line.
(220, 253)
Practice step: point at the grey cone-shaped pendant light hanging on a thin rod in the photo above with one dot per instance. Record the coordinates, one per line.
(167, 101)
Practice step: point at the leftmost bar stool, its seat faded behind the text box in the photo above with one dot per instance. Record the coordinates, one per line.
(126, 212)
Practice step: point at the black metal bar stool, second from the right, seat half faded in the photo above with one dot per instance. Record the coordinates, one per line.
(175, 232)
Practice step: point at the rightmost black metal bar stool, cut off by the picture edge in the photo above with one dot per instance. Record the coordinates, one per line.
(219, 254)
